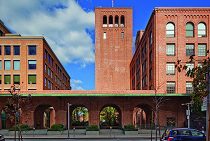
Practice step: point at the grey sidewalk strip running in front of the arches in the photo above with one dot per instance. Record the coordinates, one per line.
(79, 134)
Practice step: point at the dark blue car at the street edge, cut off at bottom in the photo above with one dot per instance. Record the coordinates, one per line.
(183, 134)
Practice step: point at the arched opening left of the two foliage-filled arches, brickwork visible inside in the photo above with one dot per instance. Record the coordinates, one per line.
(44, 116)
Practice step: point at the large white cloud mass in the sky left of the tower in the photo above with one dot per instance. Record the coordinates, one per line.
(62, 22)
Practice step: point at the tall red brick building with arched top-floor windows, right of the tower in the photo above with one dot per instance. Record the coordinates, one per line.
(171, 34)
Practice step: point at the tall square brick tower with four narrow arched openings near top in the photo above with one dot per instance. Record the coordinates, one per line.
(113, 48)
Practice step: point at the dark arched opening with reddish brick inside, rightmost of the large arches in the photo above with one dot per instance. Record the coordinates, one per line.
(143, 116)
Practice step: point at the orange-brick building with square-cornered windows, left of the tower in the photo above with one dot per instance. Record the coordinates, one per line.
(29, 63)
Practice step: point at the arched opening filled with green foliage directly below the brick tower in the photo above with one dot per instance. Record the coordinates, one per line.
(110, 116)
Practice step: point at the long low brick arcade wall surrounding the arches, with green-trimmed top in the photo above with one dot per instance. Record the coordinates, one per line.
(94, 102)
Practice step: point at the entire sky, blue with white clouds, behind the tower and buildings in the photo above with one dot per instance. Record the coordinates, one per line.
(68, 26)
